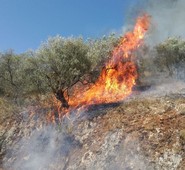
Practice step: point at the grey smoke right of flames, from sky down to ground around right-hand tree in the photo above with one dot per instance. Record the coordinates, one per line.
(167, 20)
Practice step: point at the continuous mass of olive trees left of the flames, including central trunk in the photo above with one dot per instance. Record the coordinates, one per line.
(56, 66)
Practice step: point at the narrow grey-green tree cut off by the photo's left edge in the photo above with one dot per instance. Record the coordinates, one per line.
(11, 74)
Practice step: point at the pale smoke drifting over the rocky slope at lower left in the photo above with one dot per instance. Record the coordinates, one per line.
(47, 148)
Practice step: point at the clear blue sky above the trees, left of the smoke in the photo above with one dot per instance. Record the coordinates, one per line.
(25, 24)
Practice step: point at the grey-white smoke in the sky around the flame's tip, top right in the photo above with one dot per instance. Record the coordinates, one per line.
(167, 18)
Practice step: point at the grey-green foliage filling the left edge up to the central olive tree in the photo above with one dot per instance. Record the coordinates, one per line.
(17, 75)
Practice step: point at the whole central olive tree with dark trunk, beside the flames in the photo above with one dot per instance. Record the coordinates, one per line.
(62, 62)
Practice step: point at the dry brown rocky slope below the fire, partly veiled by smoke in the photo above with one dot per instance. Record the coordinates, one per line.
(142, 132)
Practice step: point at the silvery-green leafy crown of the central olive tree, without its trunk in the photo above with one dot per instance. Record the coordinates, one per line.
(62, 62)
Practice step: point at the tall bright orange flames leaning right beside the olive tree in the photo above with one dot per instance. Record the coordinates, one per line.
(119, 74)
